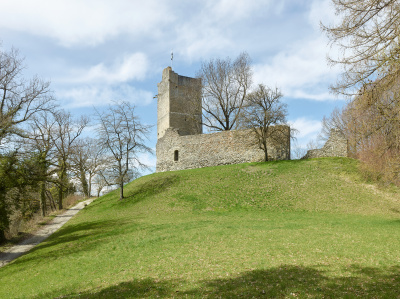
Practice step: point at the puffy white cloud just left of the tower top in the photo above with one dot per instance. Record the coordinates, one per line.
(133, 66)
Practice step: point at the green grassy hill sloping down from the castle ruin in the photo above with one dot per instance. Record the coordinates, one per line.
(278, 229)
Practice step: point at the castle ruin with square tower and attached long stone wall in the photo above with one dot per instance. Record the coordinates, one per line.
(181, 143)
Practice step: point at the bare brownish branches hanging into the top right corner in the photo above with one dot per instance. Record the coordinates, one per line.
(368, 37)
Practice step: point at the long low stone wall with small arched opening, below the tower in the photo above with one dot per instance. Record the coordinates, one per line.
(175, 152)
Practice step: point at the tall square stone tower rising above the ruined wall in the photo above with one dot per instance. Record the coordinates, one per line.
(179, 104)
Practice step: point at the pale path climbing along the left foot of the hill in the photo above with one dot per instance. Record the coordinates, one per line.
(41, 235)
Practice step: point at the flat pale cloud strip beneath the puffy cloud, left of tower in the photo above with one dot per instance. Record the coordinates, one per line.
(94, 95)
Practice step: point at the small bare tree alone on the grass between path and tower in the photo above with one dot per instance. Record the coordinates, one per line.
(122, 137)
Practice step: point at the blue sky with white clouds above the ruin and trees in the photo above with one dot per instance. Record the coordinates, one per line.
(95, 52)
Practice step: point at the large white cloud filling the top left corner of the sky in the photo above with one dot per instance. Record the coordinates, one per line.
(89, 22)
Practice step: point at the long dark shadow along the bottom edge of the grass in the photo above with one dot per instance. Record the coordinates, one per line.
(285, 281)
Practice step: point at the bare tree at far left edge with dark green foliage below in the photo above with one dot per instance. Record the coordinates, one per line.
(20, 101)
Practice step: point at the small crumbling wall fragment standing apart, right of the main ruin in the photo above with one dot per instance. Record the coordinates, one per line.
(335, 146)
